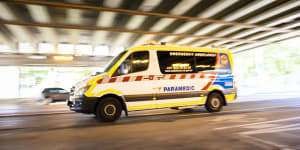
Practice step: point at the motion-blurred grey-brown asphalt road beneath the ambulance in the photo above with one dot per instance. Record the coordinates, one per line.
(254, 125)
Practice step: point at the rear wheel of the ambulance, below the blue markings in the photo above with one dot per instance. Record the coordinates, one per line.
(214, 102)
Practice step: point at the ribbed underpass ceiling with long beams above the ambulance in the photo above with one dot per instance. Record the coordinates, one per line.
(236, 24)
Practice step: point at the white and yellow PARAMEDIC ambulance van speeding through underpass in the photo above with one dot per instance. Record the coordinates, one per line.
(157, 76)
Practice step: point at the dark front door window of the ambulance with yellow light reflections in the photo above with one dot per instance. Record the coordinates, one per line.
(135, 62)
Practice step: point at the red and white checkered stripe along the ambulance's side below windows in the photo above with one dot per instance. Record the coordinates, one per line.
(156, 77)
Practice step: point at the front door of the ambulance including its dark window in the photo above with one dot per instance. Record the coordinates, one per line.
(136, 85)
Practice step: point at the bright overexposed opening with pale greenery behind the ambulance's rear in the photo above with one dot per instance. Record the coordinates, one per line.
(269, 69)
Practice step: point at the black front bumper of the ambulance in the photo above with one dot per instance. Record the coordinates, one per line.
(82, 104)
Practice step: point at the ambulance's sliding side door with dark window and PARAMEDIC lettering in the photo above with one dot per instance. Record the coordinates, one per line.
(183, 82)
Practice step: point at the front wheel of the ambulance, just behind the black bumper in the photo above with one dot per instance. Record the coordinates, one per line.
(109, 109)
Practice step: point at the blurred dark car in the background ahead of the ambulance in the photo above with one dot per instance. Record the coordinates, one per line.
(55, 94)
